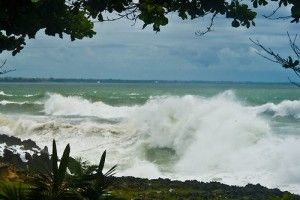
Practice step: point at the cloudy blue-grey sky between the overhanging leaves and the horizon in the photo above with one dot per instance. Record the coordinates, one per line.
(121, 50)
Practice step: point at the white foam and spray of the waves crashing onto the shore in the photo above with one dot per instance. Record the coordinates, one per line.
(217, 138)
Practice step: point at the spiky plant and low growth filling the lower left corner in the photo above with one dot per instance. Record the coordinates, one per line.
(51, 181)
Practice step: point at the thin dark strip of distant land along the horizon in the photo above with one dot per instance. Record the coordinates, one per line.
(99, 81)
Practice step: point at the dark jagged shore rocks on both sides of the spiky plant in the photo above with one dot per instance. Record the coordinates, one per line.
(17, 155)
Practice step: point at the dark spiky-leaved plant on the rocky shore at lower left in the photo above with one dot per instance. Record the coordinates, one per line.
(83, 182)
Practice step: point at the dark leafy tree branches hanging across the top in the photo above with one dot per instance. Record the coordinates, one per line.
(21, 19)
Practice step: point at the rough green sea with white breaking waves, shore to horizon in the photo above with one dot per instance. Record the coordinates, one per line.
(231, 133)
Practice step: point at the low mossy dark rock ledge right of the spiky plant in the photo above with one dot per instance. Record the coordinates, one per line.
(193, 190)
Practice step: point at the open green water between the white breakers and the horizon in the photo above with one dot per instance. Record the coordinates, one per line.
(136, 93)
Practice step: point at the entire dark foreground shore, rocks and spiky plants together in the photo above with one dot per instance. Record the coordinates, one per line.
(47, 177)
